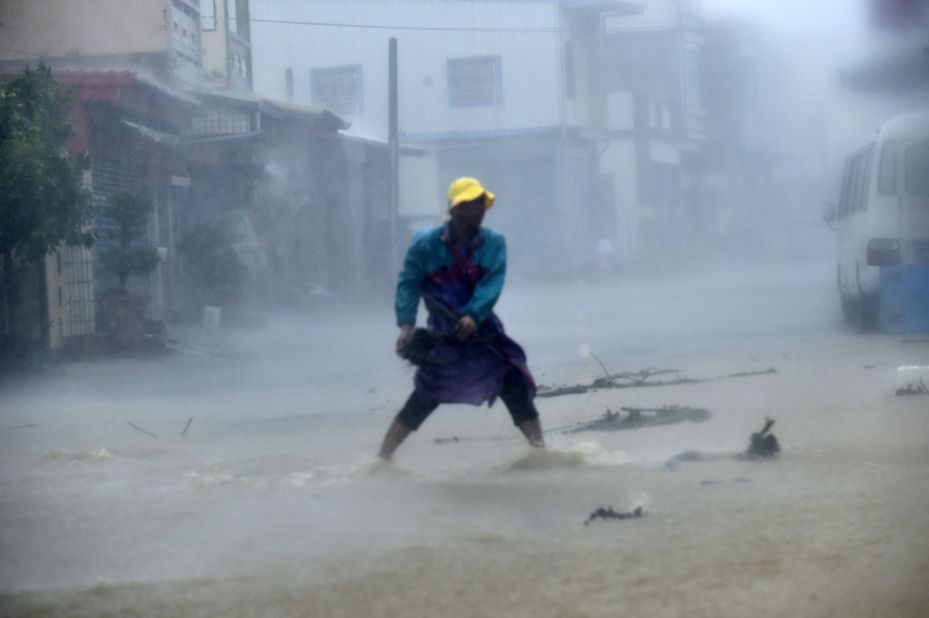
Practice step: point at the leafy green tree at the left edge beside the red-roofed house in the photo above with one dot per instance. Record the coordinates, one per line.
(42, 201)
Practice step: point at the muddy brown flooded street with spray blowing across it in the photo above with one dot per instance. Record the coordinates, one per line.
(270, 503)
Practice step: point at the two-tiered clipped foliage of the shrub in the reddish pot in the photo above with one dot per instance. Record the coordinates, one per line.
(129, 211)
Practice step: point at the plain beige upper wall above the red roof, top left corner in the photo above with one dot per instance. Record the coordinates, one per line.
(82, 27)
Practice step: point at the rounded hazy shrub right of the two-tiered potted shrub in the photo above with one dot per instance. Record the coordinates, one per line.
(212, 264)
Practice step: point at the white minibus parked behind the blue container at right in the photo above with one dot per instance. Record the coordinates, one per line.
(882, 217)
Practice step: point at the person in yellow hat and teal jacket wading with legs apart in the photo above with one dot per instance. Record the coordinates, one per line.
(458, 269)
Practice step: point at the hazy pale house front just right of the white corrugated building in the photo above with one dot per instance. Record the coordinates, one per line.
(655, 115)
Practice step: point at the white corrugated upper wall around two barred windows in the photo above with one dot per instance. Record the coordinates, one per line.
(529, 60)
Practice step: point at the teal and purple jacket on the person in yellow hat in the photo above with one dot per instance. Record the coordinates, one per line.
(466, 279)
